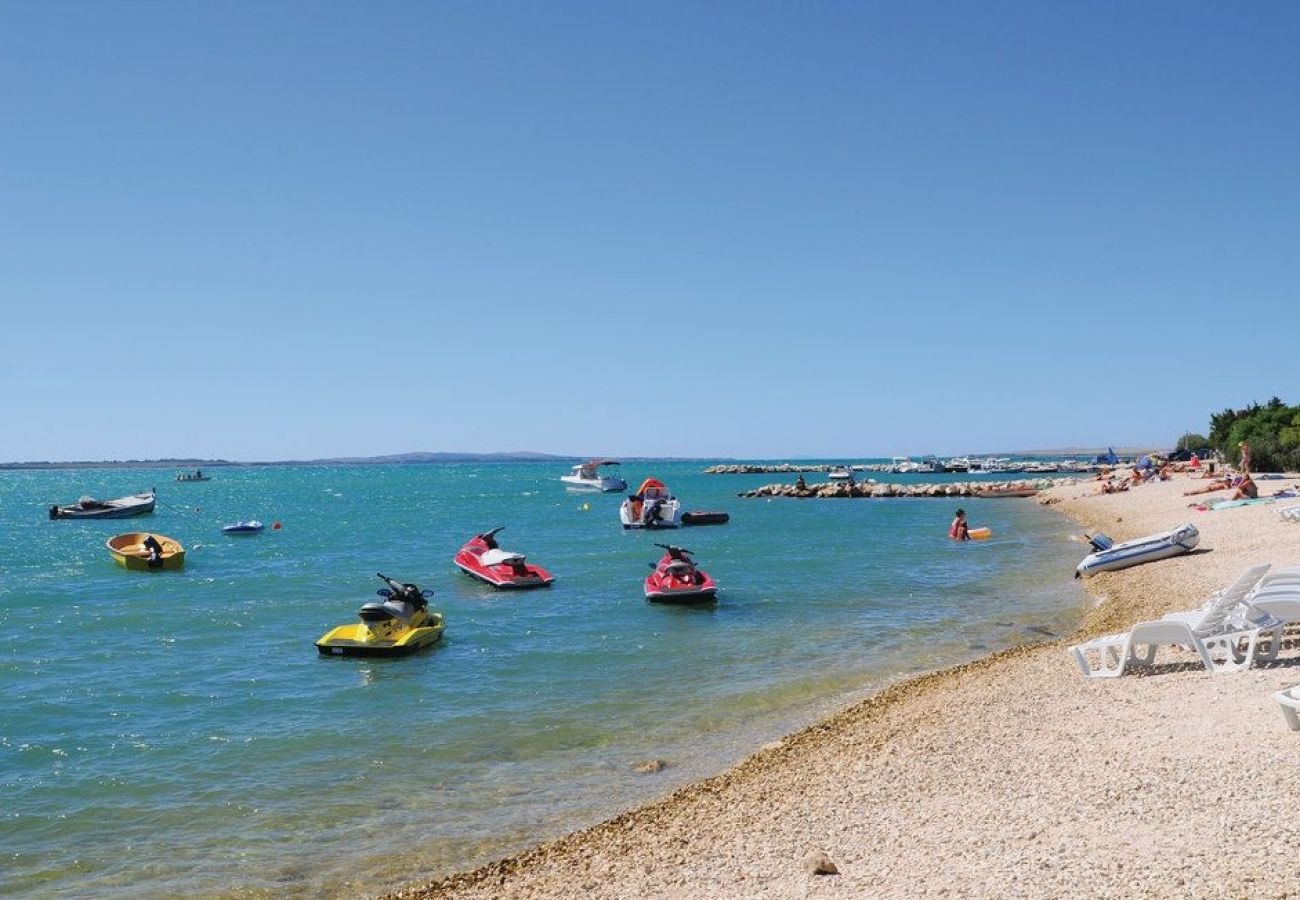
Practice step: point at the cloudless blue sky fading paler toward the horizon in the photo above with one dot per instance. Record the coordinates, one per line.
(267, 231)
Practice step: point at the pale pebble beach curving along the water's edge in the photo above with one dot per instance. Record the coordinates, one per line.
(1009, 776)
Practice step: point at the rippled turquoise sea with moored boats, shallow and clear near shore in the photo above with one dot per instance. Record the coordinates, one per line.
(168, 733)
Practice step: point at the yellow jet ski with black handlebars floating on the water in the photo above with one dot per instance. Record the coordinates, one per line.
(397, 626)
